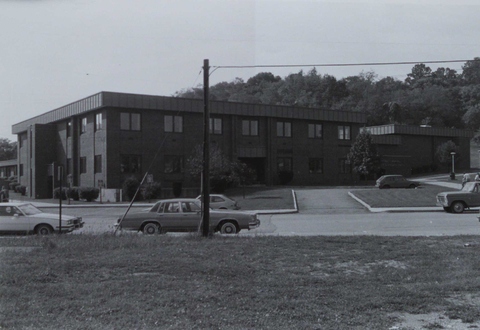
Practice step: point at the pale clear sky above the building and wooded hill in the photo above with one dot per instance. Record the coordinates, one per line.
(54, 52)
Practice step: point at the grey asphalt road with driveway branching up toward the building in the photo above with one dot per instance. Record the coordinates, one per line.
(324, 212)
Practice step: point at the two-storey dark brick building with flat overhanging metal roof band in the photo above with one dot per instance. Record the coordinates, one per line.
(108, 137)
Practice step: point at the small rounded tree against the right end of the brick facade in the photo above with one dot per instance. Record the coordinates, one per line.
(363, 155)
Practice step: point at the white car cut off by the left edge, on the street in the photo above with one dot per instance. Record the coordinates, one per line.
(25, 218)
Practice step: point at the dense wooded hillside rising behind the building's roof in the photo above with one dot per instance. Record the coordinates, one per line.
(440, 98)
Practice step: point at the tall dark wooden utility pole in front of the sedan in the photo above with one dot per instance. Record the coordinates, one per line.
(206, 153)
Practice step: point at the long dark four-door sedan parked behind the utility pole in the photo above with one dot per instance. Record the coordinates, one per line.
(184, 215)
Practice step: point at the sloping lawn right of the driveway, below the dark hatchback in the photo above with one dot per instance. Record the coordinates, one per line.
(424, 196)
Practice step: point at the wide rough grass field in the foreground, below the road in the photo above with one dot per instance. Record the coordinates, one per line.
(187, 282)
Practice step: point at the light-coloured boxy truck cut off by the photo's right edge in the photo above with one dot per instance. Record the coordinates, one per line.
(458, 201)
